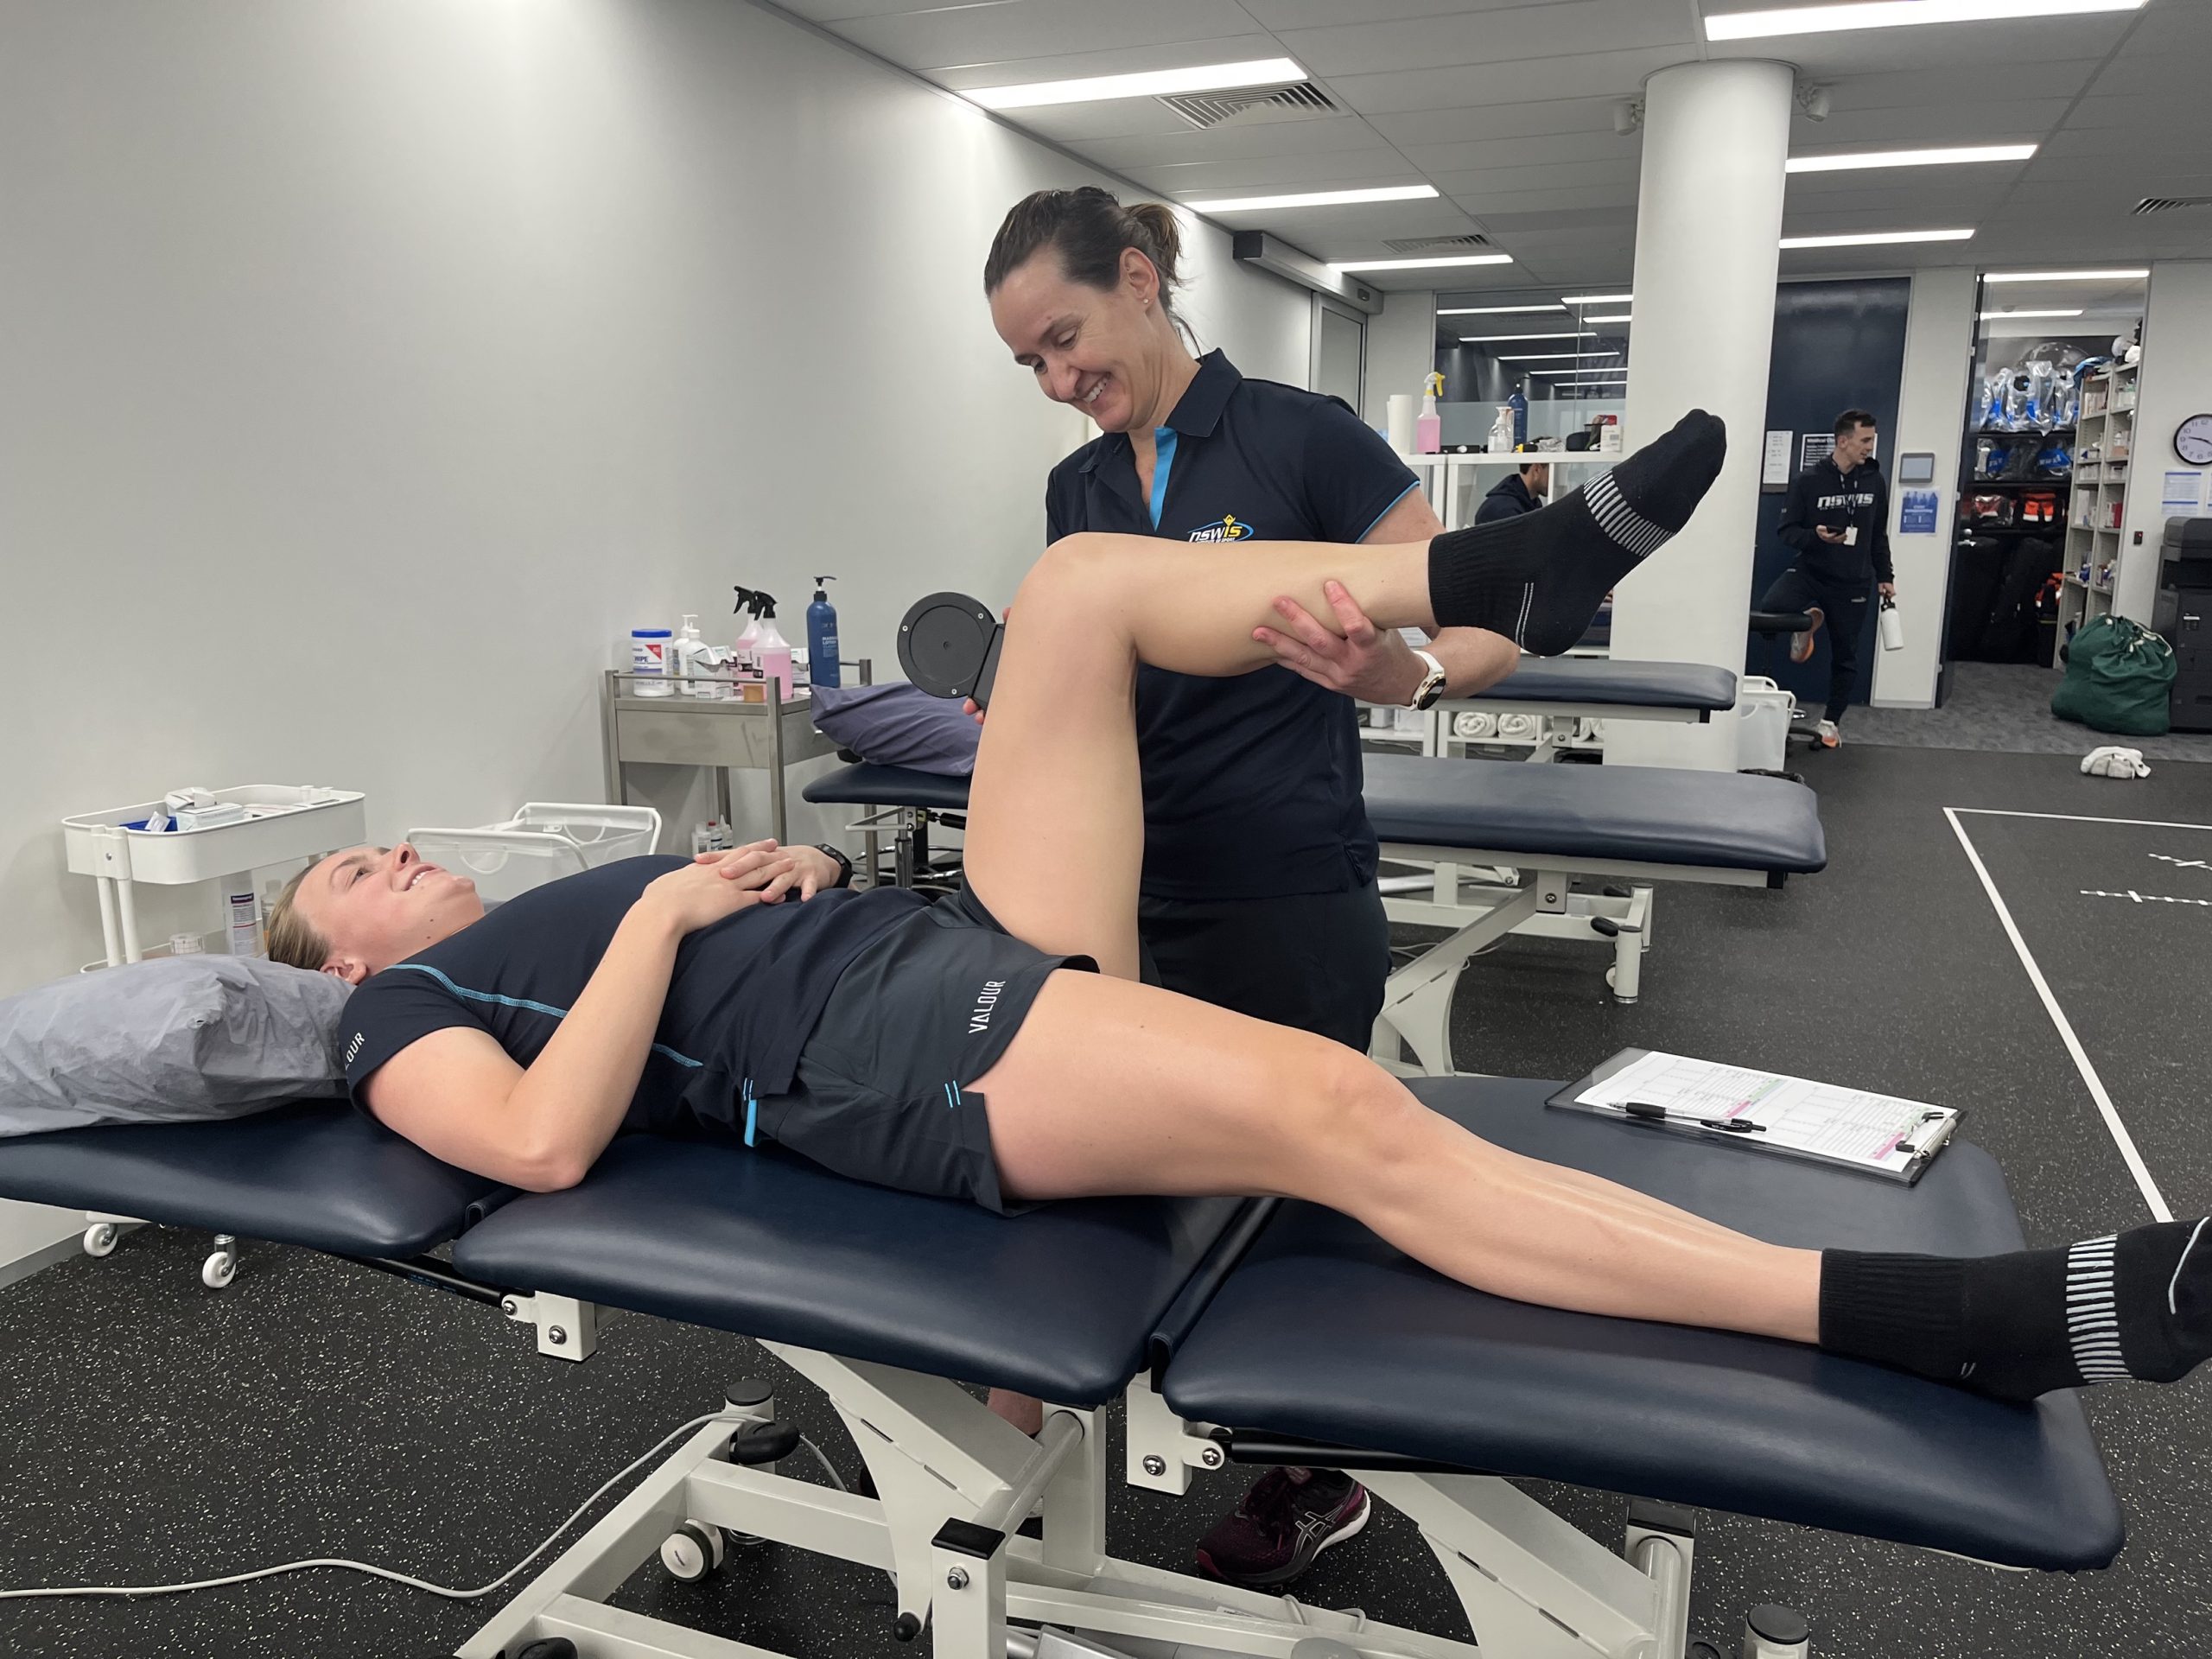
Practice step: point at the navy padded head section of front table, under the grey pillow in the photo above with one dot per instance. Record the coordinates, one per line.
(315, 1173)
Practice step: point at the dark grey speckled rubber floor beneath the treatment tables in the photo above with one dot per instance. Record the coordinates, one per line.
(152, 1430)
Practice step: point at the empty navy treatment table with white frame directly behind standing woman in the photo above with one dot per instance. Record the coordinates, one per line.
(1505, 846)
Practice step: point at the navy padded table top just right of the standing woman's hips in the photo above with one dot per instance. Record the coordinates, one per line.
(1634, 813)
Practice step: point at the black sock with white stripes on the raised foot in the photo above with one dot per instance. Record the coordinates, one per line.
(1541, 578)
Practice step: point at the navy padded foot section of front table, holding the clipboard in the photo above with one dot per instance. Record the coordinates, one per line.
(1419, 1366)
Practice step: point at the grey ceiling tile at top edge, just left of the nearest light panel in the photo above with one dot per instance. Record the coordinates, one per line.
(1492, 36)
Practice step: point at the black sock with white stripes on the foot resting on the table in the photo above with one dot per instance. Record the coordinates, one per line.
(2103, 1311)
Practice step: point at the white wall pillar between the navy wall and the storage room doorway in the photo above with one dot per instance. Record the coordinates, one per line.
(1932, 421)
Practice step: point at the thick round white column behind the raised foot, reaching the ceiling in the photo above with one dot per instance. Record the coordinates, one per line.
(1709, 253)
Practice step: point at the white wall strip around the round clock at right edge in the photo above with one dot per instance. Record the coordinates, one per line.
(2173, 384)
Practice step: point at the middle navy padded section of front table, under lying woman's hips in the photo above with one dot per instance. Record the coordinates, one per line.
(1058, 1304)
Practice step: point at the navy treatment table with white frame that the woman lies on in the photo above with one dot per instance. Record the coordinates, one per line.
(1200, 1313)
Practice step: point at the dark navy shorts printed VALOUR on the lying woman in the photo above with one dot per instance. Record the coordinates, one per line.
(921, 1014)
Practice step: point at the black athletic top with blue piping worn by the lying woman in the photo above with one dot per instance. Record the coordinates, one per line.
(742, 1001)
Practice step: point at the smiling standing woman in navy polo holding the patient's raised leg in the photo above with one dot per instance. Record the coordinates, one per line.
(1260, 866)
